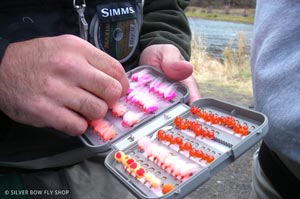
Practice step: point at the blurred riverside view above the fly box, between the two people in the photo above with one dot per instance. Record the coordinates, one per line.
(222, 33)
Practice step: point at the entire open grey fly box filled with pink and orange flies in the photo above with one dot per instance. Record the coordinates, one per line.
(172, 148)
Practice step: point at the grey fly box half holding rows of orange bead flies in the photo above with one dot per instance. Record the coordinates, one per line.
(183, 147)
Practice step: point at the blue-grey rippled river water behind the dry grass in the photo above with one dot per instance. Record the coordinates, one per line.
(216, 35)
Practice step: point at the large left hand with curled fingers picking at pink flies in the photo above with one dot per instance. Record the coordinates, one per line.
(60, 82)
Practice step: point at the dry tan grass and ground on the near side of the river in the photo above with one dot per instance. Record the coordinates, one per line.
(228, 80)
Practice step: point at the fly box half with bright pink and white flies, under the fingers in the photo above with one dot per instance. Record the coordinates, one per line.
(150, 93)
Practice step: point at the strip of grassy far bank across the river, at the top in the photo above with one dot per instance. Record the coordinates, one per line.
(233, 15)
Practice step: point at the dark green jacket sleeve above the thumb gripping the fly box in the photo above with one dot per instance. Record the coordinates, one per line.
(166, 23)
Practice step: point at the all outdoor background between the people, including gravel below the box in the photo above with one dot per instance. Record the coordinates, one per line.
(221, 47)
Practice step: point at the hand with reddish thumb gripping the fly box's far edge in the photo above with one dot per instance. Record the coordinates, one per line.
(169, 59)
